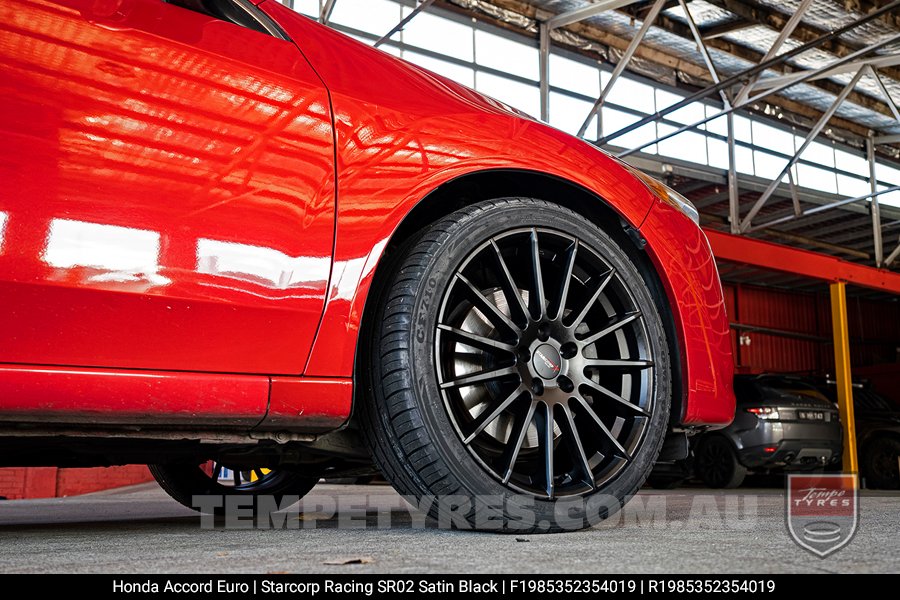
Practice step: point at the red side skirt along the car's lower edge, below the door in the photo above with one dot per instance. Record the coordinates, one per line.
(52, 397)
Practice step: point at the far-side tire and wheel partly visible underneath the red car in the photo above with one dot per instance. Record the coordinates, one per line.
(182, 481)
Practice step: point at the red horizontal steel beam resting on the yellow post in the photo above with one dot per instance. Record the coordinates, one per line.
(748, 251)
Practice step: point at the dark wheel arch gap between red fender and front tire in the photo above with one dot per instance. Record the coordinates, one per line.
(474, 187)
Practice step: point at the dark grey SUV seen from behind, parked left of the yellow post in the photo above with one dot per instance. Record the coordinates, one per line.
(781, 423)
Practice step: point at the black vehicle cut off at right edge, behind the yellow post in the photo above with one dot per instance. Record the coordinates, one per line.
(877, 435)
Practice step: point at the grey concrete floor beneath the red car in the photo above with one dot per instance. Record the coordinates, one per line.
(139, 530)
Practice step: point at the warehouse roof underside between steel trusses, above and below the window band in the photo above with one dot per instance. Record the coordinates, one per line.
(737, 35)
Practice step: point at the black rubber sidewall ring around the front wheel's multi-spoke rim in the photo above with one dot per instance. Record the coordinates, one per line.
(453, 248)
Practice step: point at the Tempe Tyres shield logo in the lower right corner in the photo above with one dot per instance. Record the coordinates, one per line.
(822, 511)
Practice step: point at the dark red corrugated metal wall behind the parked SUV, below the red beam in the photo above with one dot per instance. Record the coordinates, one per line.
(801, 340)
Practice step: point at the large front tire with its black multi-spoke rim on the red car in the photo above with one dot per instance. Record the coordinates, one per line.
(549, 401)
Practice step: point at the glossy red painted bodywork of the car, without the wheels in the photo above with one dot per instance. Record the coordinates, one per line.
(173, 215)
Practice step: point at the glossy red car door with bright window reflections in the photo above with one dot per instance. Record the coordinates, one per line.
(168, 188)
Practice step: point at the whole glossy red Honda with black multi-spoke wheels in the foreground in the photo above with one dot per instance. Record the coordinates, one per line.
(235, 241)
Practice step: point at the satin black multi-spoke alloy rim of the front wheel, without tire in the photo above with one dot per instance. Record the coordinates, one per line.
(543, 362)
